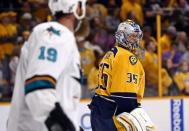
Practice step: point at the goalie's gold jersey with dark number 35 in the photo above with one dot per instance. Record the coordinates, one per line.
(121, 75)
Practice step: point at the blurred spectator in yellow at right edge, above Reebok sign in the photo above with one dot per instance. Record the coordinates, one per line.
(182, 78)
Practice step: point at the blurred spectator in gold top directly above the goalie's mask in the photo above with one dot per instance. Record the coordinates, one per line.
(131, 6)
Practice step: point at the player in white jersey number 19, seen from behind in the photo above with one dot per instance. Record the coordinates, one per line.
(47, 89)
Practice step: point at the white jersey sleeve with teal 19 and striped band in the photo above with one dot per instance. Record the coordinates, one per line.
(48, 57)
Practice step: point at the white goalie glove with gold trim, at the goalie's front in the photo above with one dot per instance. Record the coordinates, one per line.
(136, 120)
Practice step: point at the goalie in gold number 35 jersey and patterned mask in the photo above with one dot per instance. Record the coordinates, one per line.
(116, 105)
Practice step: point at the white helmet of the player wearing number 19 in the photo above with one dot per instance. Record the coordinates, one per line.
(68, 7)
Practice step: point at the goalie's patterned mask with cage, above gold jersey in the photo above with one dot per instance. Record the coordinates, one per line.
(129, 35)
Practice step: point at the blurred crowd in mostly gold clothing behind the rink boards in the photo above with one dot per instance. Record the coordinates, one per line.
(96, 36)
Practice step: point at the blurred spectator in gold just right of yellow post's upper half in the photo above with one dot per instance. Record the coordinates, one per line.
(167, 39)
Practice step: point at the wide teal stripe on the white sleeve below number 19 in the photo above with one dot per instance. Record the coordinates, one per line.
(37, 85)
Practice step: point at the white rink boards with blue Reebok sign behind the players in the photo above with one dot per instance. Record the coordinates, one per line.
(168, 114)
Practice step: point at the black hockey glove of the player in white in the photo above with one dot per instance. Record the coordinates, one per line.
(58, 121)
